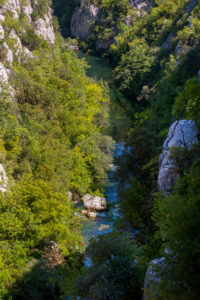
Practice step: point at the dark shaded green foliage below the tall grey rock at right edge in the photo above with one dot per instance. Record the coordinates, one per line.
(177, 217)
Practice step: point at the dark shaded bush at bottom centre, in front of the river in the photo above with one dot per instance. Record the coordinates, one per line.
(114, 274)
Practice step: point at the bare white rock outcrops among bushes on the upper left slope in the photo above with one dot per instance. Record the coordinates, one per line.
(43, 27)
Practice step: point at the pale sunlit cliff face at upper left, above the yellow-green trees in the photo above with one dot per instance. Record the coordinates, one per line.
(17, 20)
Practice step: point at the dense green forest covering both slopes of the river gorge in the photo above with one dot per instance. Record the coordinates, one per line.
(54, 139)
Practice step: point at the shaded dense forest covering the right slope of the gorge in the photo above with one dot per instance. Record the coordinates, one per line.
(156, 58)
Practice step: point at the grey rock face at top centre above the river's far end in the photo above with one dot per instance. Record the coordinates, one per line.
(83, 19)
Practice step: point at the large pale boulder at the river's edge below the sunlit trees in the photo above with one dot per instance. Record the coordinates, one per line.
(94, 203)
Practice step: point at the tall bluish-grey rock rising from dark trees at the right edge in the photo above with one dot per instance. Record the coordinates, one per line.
(181, 134)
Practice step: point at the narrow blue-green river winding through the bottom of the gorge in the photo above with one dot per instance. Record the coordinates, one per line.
(101, 70)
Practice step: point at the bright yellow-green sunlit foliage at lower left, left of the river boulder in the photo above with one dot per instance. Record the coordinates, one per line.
(31, 215)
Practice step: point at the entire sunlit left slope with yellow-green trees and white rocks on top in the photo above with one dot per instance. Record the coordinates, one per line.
(52, 124)
